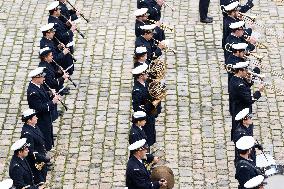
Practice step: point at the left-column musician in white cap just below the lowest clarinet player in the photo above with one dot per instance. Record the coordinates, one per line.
(37, 151)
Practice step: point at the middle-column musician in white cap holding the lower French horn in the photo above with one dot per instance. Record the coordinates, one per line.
(142, 101)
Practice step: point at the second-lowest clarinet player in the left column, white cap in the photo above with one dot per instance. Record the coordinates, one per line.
(54, 77)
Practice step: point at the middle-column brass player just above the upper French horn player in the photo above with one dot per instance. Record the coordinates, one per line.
(146, 40)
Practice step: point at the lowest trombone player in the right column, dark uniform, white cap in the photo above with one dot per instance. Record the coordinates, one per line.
(240, 92)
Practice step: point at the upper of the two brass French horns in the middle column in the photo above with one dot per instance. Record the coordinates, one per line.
(157, 70)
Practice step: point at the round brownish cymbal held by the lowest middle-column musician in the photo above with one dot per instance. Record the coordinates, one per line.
(165, 172)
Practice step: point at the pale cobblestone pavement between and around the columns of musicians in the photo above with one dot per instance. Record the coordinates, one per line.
(194, 128)
